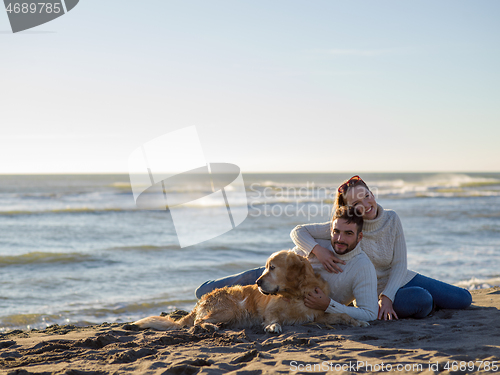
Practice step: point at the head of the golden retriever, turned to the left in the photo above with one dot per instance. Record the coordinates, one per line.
(285, 272)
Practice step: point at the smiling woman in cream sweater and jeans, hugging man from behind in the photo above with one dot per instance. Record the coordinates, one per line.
(402, 293)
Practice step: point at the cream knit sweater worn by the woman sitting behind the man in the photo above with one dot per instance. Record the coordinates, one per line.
(383, 241)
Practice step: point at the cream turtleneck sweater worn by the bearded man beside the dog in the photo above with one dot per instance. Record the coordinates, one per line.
(358, 281)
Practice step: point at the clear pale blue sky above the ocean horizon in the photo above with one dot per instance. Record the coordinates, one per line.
(271, 85)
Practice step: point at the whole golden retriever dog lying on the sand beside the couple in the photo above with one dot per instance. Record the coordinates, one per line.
(276, 299)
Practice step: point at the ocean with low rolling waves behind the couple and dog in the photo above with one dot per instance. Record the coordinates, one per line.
(75, 249)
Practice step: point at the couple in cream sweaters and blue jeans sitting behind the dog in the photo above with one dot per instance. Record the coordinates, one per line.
(341, 250)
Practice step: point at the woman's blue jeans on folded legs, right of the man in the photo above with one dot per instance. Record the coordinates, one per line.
(417, 297)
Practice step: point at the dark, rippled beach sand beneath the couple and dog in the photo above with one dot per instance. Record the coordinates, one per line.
(449, 341)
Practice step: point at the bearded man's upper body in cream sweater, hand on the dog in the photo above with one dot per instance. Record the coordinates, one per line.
(357, 279)
